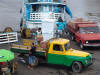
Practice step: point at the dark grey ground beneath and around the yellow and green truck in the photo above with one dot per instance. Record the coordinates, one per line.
(46, 69)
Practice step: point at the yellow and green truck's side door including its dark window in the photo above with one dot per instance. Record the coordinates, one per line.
(56, 56)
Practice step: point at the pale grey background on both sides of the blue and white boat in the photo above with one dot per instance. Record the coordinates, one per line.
(10, 16)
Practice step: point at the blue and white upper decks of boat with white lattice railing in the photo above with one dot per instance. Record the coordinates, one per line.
(35, 11)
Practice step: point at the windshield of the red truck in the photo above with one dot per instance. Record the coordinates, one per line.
(90, 30)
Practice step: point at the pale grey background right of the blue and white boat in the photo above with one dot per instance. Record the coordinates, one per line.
(81, 7)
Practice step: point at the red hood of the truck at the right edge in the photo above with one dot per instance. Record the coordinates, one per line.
(91, 36)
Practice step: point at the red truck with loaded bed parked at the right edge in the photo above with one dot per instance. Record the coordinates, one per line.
(85, 33)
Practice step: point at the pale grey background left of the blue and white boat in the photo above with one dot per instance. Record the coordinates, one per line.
(9, 14)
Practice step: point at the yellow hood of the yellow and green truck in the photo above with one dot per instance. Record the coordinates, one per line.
(73, 52)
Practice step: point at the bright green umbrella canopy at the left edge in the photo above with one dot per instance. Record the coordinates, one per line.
(6, 55)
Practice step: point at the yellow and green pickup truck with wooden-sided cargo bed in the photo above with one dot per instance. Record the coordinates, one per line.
(58, 52)
